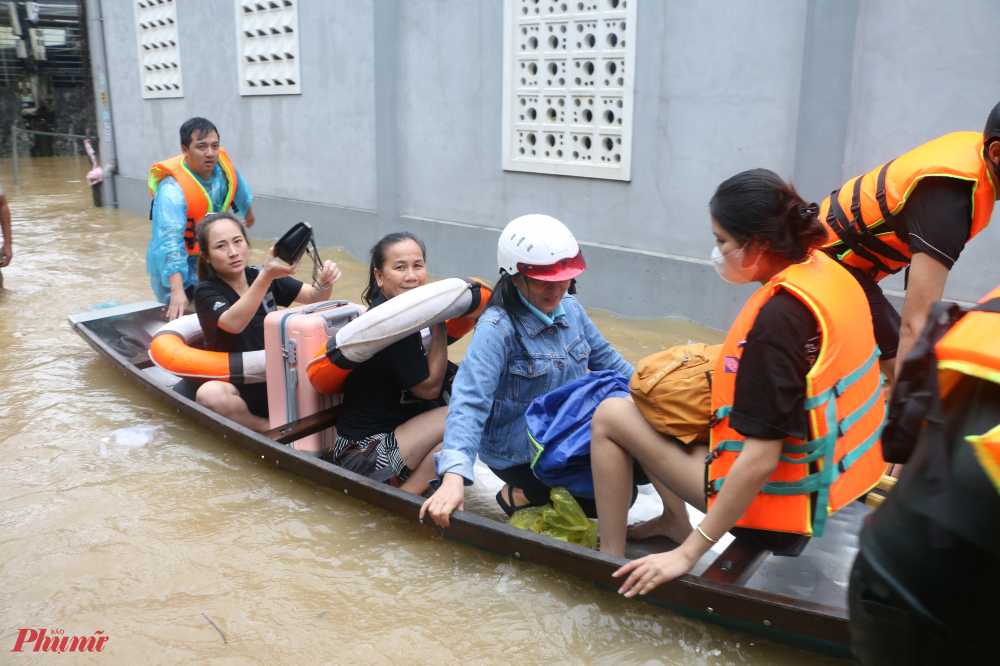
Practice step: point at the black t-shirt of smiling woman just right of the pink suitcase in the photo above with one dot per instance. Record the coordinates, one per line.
(377, 398)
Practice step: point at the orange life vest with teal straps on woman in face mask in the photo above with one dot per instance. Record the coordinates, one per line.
(842, 458)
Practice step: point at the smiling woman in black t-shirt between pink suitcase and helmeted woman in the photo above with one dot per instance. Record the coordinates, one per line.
(392, 420)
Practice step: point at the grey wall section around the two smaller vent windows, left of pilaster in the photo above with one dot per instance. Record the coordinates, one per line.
(318, 146)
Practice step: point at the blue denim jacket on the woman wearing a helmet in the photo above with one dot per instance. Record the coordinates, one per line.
(500, 376)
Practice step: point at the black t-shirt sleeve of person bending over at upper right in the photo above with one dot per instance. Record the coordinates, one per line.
(937, 218)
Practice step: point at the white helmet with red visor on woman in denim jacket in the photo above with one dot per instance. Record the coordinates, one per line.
(540, 247)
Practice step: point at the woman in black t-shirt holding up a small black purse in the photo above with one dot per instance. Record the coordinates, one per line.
(232, 299)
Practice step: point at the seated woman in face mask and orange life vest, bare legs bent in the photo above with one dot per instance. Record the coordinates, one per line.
(800, 356)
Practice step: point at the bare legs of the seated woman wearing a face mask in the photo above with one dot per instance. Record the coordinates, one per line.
(619, 432)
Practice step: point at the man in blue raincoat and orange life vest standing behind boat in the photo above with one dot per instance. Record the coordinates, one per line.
(185, 188)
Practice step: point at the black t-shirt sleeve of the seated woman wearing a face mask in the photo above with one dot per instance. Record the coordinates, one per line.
(781, 348)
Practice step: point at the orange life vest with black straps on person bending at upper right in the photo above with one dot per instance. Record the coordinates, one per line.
(855, 213)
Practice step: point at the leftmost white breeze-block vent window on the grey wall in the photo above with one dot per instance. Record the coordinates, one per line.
(159, 48)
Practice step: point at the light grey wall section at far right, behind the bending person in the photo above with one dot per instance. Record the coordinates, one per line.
(922, 69)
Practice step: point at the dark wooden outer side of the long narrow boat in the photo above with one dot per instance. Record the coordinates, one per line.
(805, 625)
